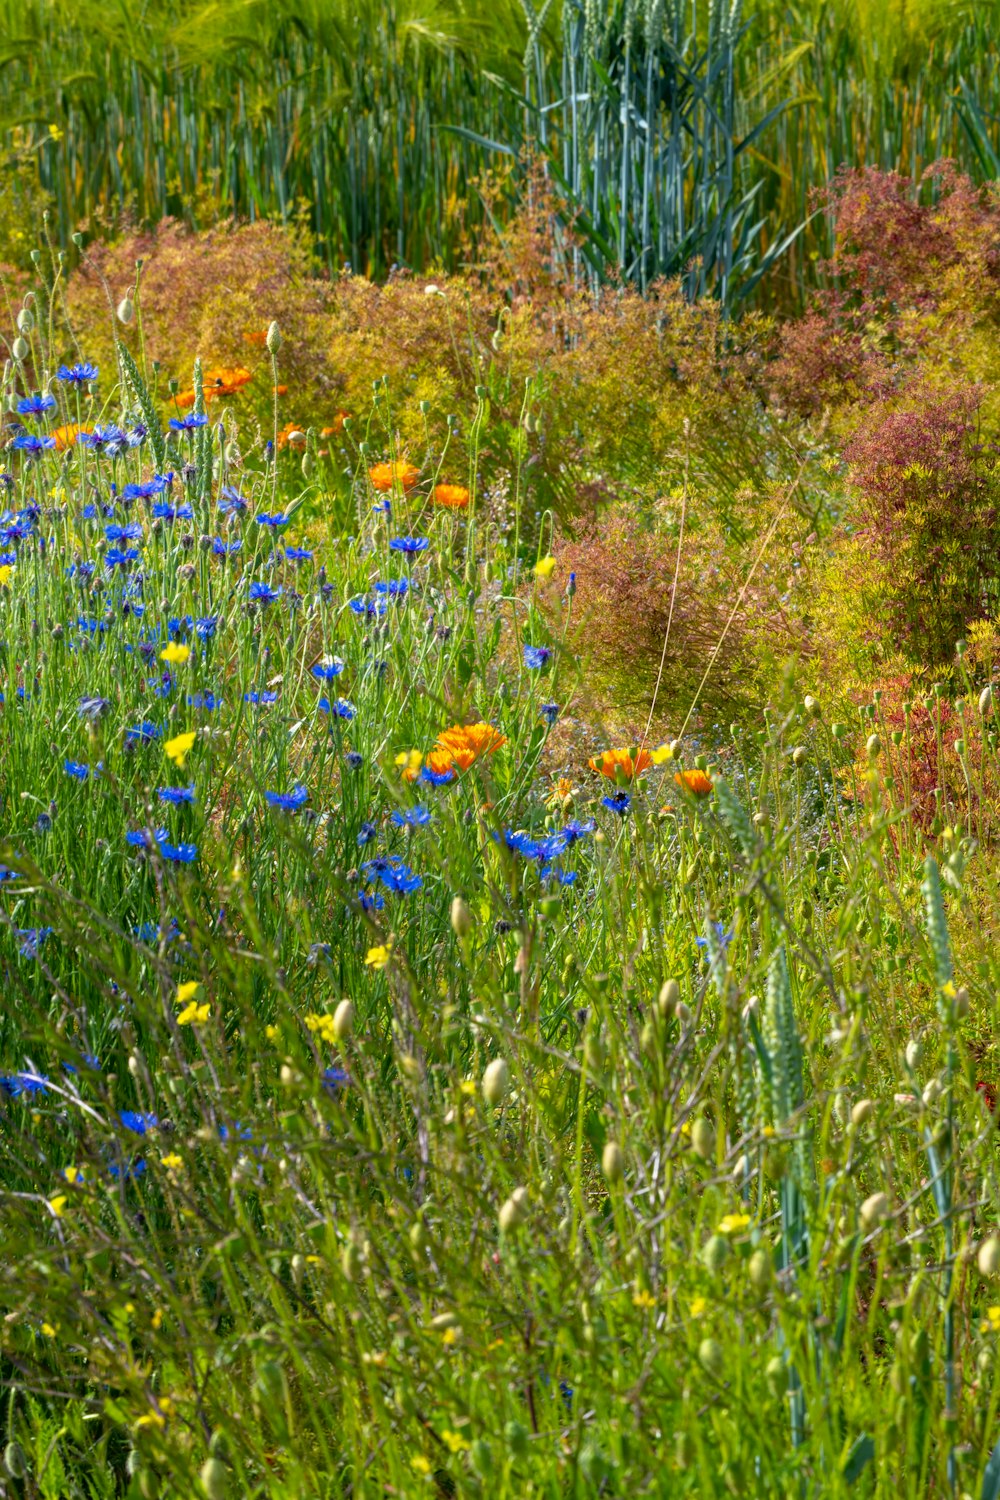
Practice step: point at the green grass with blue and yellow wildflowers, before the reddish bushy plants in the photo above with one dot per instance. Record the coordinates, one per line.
(717, 1223)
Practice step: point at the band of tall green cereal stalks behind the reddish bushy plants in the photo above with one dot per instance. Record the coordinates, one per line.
(678, 131)
